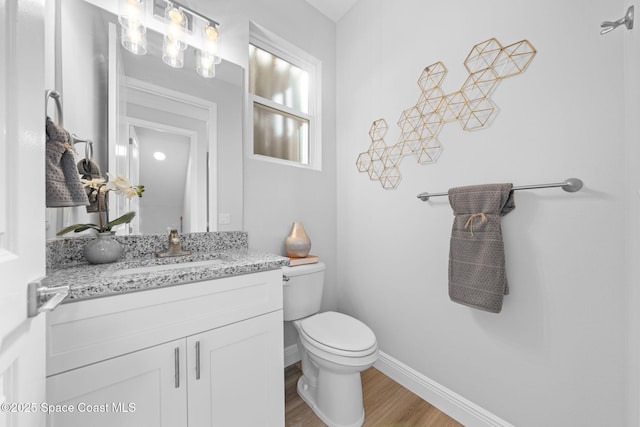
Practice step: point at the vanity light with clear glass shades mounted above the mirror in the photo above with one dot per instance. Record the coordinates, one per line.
(182, 27)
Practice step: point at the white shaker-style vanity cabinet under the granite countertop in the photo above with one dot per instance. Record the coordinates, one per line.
(201, 354)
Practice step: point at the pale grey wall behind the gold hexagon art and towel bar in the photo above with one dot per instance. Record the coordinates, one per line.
(557, 354)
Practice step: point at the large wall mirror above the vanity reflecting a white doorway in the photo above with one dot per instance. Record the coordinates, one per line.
(133, 106)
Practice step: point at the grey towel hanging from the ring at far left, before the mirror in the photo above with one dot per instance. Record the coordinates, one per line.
(63, 186)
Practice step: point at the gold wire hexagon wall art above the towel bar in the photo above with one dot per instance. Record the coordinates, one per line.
(487, 64)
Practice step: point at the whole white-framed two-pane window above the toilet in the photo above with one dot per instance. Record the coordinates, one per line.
(283, 90)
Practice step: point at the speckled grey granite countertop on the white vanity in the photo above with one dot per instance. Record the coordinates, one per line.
(88, 281)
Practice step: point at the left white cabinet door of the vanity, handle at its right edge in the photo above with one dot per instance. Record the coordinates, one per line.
(139, 389)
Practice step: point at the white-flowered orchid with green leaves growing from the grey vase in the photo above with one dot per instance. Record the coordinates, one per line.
(99, 190)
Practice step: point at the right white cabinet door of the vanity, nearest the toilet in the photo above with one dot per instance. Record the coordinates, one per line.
(239, 380)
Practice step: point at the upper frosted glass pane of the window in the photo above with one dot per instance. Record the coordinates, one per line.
(278, 80)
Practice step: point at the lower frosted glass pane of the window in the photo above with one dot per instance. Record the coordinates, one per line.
(276, 134)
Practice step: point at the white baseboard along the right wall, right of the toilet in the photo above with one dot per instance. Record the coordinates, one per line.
(449, 402)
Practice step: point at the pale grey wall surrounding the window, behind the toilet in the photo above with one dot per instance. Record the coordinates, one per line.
(276, 195)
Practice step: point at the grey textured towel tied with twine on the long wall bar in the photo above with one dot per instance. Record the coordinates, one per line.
(477, 275)
